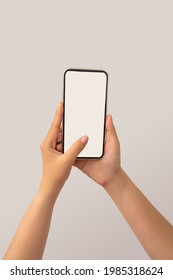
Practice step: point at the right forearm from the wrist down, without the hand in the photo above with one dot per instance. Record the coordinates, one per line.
(153, 231)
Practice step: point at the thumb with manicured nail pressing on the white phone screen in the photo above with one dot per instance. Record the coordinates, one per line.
(76, 148)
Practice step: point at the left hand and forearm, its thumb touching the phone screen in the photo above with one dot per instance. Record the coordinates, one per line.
(30, 239)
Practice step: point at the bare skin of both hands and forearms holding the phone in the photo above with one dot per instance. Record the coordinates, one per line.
(153, 231)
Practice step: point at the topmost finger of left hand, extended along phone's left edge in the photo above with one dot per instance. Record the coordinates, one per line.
(55, 127)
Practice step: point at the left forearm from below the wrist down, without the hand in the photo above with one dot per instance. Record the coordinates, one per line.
(30, 239)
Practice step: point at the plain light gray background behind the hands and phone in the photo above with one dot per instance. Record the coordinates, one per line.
(132, 41)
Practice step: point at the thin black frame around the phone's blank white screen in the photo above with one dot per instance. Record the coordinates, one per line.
(105, 108)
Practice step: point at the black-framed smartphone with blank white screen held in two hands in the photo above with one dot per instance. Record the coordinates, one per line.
(85, 101)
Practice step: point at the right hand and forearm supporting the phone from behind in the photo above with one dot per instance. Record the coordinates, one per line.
(154, 232)
